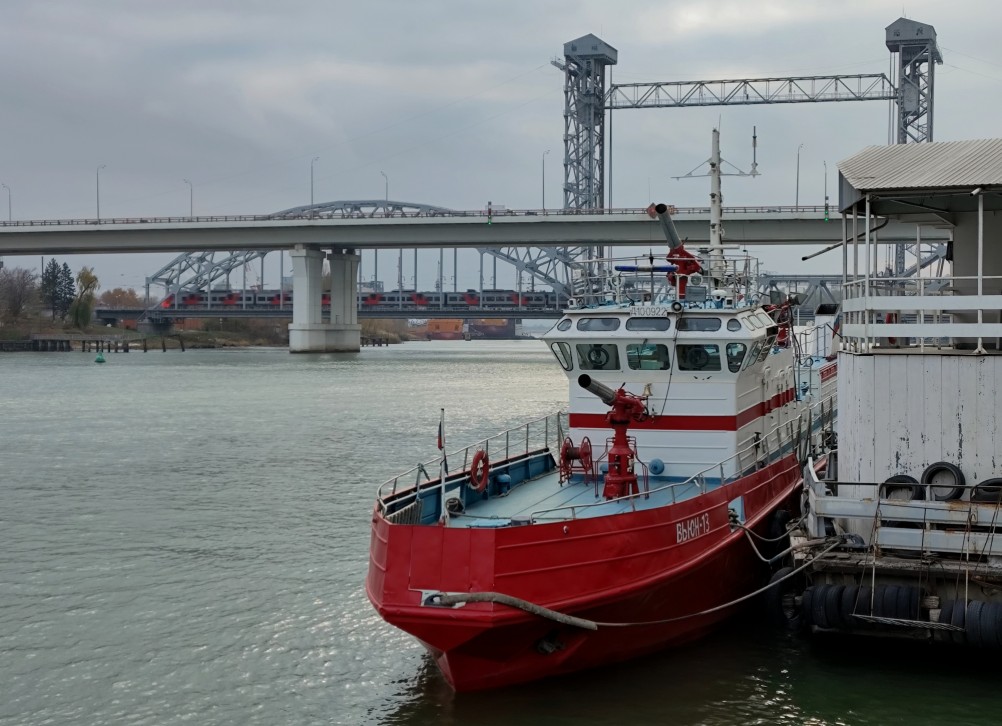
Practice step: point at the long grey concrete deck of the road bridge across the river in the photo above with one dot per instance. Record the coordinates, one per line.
(535, 229)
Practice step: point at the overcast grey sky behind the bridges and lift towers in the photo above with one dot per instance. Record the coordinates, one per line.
(455, 101)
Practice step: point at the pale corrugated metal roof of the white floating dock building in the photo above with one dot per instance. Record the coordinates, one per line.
(931, 166)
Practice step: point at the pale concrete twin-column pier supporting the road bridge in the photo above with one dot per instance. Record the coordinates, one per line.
(309, 333)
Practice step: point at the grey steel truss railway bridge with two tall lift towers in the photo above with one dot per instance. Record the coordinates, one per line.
(589, 107)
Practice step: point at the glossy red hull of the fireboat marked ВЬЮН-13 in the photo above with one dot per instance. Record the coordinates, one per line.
(648, 572)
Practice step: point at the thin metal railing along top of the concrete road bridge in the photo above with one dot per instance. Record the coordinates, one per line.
(398, 215)
